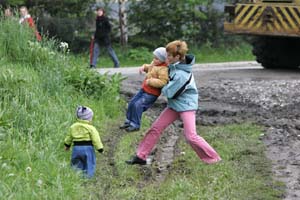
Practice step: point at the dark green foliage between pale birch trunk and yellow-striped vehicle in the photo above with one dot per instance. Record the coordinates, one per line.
(156, 23)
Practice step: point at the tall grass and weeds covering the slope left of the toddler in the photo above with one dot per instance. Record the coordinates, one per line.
(36, 108)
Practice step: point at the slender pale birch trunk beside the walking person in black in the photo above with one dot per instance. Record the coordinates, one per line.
(123, 22)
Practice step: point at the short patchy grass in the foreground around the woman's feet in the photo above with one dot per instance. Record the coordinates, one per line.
(244, 172)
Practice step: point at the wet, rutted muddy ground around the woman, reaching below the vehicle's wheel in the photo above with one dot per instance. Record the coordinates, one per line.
(267, 97)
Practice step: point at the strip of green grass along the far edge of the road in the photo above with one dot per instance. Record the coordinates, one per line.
(136, 57)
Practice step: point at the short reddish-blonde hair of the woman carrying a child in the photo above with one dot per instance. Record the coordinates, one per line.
(177, 47)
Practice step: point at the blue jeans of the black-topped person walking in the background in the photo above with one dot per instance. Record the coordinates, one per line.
(111, 52)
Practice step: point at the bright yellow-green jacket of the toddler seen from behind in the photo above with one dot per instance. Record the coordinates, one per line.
(82, 130)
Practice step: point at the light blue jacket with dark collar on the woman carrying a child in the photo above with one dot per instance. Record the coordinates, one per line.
(181, 90)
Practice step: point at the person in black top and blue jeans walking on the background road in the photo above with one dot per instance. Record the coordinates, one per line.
(101, 39)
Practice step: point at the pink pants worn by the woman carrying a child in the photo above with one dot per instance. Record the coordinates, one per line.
(204, 151)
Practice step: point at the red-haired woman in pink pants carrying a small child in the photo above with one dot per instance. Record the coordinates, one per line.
(182, 95)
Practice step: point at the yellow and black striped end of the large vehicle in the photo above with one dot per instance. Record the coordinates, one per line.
(273, 18)
